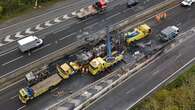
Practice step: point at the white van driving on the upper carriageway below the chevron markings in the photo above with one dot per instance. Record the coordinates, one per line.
(29, 43)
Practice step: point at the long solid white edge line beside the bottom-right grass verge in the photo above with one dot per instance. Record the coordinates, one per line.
(184, 66)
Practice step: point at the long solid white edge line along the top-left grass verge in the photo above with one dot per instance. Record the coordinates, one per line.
(44, 14)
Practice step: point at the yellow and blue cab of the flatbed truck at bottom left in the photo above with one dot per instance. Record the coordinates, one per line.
(25, 94)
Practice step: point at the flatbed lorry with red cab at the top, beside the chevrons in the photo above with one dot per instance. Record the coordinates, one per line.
(97, 8)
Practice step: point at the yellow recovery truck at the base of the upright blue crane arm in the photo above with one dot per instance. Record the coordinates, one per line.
(99, 64)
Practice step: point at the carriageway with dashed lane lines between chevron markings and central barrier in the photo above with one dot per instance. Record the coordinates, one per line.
(62, 35)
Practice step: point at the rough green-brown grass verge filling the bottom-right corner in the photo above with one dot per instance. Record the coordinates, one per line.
(178, 95)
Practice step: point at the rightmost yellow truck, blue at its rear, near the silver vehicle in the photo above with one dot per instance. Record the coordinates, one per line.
(139, 33)
